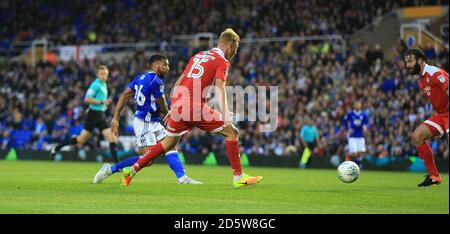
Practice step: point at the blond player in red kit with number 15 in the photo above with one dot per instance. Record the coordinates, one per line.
(189, 108)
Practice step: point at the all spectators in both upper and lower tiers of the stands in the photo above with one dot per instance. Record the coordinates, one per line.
(317, 81)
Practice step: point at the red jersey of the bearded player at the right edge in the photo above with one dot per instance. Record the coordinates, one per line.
(433, 83)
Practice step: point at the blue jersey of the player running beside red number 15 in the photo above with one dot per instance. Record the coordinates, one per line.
(147, 87)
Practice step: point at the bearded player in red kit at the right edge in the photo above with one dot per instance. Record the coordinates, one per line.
(433, 82)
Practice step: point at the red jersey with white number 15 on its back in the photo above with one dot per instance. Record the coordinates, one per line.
(199, 75)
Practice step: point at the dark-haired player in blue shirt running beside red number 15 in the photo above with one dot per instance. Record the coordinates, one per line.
(148, 92)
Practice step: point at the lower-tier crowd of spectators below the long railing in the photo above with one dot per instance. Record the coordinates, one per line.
(313, 85)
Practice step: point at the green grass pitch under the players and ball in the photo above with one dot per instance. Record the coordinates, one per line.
(66, 187)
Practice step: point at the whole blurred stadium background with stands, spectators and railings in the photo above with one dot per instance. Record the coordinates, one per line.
(322, 54)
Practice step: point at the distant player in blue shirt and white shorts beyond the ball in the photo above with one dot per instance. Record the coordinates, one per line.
(355, 123)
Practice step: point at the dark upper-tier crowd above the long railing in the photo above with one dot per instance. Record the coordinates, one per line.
(83, 21)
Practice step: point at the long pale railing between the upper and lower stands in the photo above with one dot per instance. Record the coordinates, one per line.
(22, 49)
